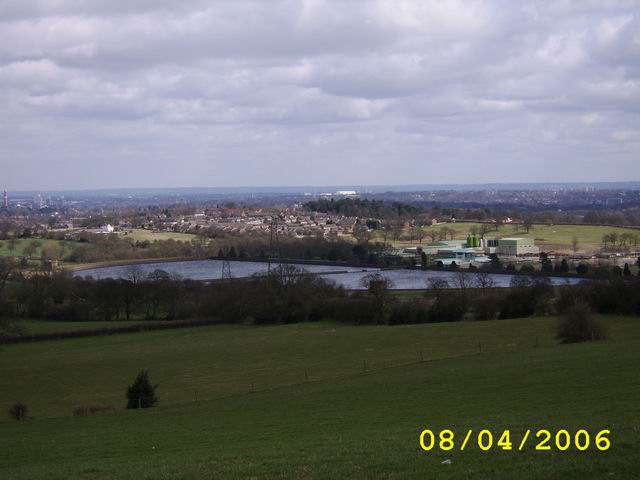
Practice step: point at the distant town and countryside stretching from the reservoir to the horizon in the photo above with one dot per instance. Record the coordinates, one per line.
(438, 228)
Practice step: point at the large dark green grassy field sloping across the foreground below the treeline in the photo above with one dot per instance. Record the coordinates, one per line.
(343, 423)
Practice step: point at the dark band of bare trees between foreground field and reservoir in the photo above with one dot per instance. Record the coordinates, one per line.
(289, 295)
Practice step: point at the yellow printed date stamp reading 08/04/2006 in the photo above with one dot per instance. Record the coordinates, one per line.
(490, 440)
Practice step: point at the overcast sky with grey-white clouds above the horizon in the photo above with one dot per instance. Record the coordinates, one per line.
(166, 93)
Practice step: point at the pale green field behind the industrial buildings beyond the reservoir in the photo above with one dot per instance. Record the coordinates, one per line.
(548, 237)
